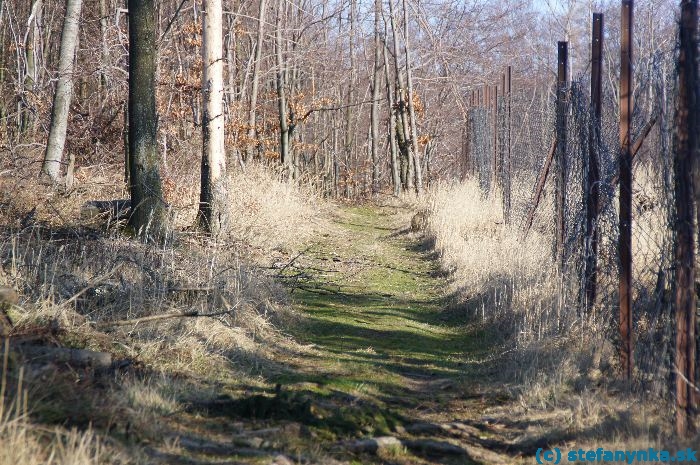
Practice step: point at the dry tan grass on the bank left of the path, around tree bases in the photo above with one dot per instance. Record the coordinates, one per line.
(75, 277)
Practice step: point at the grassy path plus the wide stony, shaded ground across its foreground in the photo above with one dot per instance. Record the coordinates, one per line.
(389, 373)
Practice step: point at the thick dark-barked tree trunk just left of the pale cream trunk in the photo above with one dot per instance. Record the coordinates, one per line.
(149, 213)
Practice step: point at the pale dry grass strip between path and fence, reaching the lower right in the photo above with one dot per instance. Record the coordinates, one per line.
(553, 360)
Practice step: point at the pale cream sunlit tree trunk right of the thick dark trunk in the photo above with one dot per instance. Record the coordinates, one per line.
(213, 193)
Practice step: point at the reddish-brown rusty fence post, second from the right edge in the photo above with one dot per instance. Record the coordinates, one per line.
(625, 167)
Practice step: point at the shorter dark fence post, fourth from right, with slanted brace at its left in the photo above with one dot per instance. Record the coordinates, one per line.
(560, 157)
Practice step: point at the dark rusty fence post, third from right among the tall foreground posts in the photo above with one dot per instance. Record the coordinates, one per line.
(592, 191)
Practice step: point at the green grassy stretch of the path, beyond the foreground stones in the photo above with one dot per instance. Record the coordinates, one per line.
(375, 314)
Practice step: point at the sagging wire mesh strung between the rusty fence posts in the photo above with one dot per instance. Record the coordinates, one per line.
(511, 150)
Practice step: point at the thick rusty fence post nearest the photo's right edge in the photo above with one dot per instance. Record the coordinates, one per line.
(686, 145)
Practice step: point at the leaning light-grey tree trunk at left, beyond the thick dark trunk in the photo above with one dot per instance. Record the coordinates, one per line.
(64, 91)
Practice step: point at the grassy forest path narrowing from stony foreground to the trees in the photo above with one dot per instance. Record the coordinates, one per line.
(392, 363)
